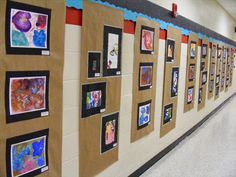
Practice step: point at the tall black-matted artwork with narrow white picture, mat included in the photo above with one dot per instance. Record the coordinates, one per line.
(112, 51)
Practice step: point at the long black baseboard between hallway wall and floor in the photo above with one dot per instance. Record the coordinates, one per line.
(161, 154)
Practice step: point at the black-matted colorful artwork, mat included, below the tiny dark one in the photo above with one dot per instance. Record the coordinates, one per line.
(93, 98)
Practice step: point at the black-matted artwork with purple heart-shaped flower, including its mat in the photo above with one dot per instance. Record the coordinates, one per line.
(27, 29)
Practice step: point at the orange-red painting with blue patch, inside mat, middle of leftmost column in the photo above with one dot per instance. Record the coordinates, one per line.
(27, 94)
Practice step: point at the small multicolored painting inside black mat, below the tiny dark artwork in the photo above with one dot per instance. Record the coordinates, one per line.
(93, 99)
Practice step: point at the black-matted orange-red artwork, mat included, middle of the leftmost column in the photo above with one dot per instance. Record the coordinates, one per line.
(26, 95)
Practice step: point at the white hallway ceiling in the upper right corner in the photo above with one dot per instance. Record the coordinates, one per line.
(229, 6)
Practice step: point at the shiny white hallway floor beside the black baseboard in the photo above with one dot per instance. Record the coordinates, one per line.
(210, 151)
